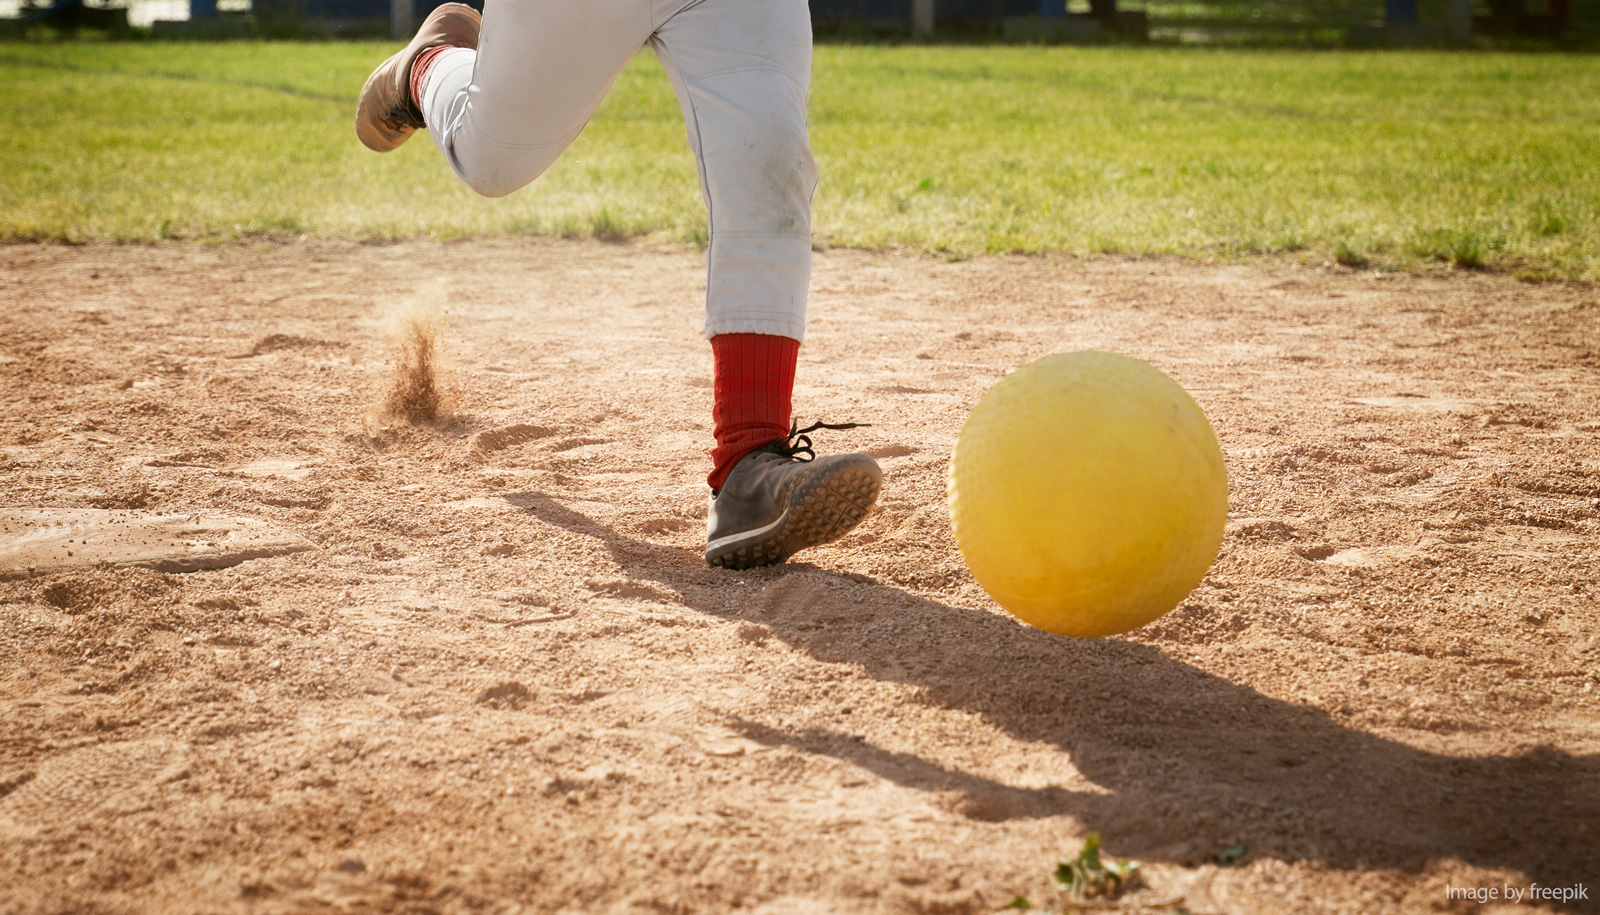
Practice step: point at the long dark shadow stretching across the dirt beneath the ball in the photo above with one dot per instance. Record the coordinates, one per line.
(1194, 762)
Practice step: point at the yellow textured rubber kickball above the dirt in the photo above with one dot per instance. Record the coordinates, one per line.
(1089, 493)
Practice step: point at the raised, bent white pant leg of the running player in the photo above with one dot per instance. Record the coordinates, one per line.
(505, 113)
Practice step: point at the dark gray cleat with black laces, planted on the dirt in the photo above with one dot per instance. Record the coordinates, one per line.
(775, 503)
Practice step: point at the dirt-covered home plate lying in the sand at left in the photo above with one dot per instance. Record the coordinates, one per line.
(44, 541)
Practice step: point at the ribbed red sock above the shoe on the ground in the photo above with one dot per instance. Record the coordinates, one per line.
(756, 378)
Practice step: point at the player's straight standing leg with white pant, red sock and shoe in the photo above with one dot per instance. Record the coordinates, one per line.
(743, 71)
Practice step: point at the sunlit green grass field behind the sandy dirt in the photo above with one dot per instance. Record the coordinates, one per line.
(1369, 159)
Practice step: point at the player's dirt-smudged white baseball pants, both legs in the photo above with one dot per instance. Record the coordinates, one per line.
(742, 71)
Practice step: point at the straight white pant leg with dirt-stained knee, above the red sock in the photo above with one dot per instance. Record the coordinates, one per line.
(743, 73)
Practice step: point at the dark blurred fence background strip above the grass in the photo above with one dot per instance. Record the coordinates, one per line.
(1316, 23)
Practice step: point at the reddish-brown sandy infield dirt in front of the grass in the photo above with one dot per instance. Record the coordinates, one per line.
(505, 682)
